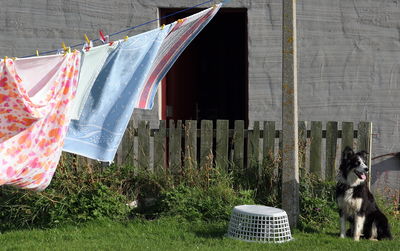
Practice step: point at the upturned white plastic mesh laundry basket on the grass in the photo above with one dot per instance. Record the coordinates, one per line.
(259, 224)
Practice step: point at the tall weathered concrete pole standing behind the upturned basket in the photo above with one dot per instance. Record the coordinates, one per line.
(290, 168)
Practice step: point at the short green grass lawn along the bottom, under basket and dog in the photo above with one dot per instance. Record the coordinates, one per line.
(171, 234)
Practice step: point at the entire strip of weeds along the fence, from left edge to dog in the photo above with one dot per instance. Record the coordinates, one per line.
(90, 192)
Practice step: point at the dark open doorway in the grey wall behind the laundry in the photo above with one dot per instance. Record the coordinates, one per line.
(210, 78)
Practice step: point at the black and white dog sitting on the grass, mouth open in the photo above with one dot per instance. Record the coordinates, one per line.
(356, 203)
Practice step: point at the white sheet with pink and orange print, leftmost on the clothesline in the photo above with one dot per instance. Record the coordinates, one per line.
(34, 97)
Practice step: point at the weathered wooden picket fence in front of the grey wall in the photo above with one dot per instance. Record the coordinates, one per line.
(185, 144)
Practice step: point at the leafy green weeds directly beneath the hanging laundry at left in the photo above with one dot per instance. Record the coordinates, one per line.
(73, 197)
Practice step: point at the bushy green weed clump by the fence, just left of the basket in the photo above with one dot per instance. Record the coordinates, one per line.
(211, 198)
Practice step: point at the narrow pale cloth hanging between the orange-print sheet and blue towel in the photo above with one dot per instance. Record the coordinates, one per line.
(91, 63)
